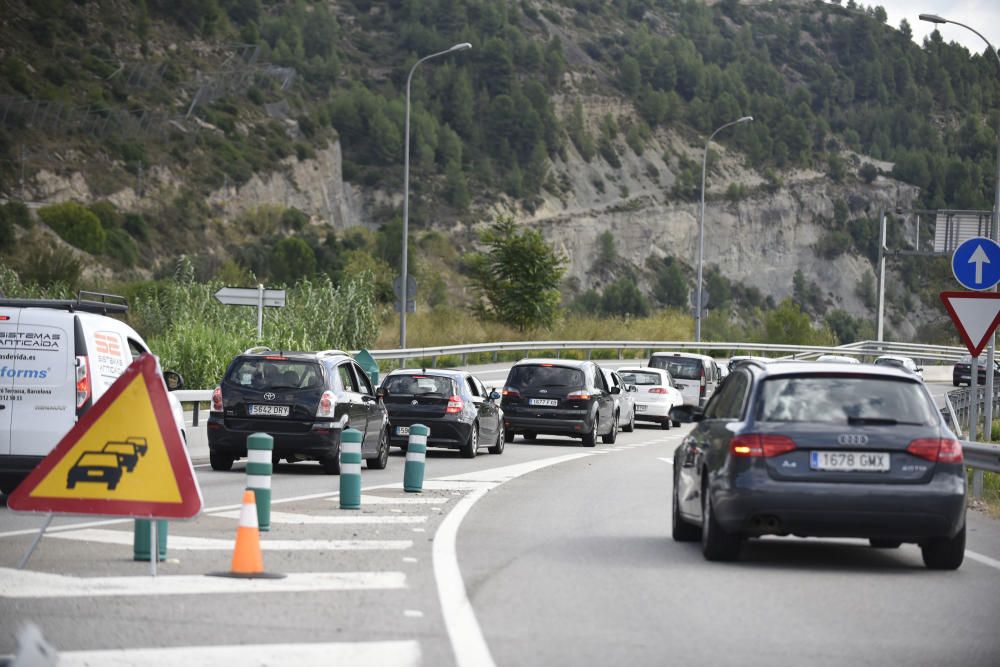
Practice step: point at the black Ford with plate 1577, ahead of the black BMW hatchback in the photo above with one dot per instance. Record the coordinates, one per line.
(559, 397)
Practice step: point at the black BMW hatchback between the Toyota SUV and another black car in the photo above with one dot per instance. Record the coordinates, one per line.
(461, 413)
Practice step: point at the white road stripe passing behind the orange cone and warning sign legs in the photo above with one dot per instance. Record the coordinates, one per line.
(184, 543)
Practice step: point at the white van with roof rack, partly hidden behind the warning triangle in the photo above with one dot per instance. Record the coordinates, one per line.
(56, 359)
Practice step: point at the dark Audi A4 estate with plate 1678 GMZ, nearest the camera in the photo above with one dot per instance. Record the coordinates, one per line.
(802, 449)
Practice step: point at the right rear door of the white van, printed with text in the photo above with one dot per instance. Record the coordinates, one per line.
(44, 382)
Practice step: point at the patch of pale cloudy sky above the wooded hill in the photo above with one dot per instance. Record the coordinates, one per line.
(983, 15)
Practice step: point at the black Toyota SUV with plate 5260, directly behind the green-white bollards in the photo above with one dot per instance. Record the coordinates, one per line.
(301, 399)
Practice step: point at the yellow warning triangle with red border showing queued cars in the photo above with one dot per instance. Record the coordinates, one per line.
(124, 457)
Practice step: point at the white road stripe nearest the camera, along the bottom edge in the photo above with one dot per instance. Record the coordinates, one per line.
(360, 654)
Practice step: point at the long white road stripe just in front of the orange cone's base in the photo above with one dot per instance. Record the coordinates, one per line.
(28, 584)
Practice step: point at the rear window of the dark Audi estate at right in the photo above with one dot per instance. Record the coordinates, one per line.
(839, 400)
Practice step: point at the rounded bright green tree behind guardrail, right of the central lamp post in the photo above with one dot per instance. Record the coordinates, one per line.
(518, 275)
